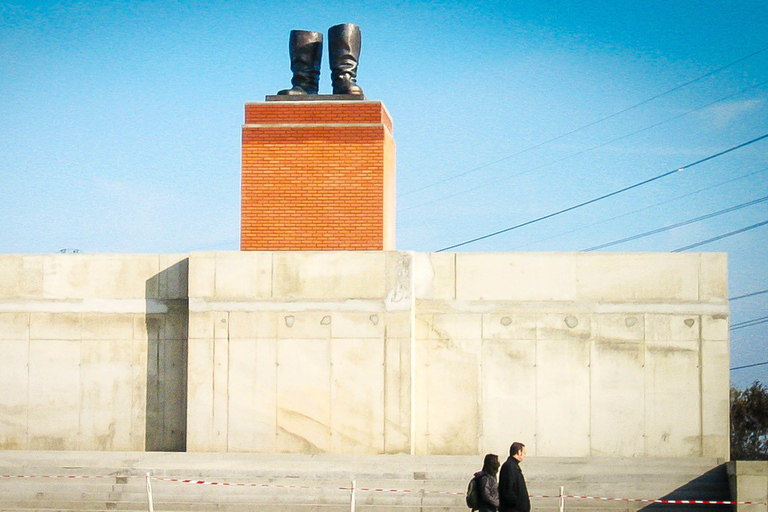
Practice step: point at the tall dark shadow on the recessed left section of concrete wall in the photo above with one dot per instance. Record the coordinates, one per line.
(167, 316)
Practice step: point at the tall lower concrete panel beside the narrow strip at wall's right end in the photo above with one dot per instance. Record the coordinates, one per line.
(671, 387)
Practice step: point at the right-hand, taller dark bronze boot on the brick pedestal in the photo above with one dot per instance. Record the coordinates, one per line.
(344, 53)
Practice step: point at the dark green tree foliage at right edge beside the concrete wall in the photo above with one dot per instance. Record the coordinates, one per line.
(749, 423)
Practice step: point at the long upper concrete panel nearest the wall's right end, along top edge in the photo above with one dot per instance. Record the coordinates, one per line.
(626, 277)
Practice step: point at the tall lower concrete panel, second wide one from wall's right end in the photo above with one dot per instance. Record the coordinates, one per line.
(616, 407)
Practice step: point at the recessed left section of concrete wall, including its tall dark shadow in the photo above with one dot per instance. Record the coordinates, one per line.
(92, 352)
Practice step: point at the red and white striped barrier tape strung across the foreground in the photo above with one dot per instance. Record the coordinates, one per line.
(380, 489)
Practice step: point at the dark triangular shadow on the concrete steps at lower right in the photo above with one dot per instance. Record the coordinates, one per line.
(711, 486)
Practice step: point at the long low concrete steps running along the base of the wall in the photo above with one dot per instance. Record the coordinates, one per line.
(321, 482)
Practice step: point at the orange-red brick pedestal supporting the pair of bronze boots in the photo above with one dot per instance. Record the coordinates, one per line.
(317, 176)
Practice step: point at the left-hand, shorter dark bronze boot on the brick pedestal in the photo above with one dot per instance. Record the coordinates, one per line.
(306, 51)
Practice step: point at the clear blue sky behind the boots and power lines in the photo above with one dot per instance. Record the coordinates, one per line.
(121, 124)
